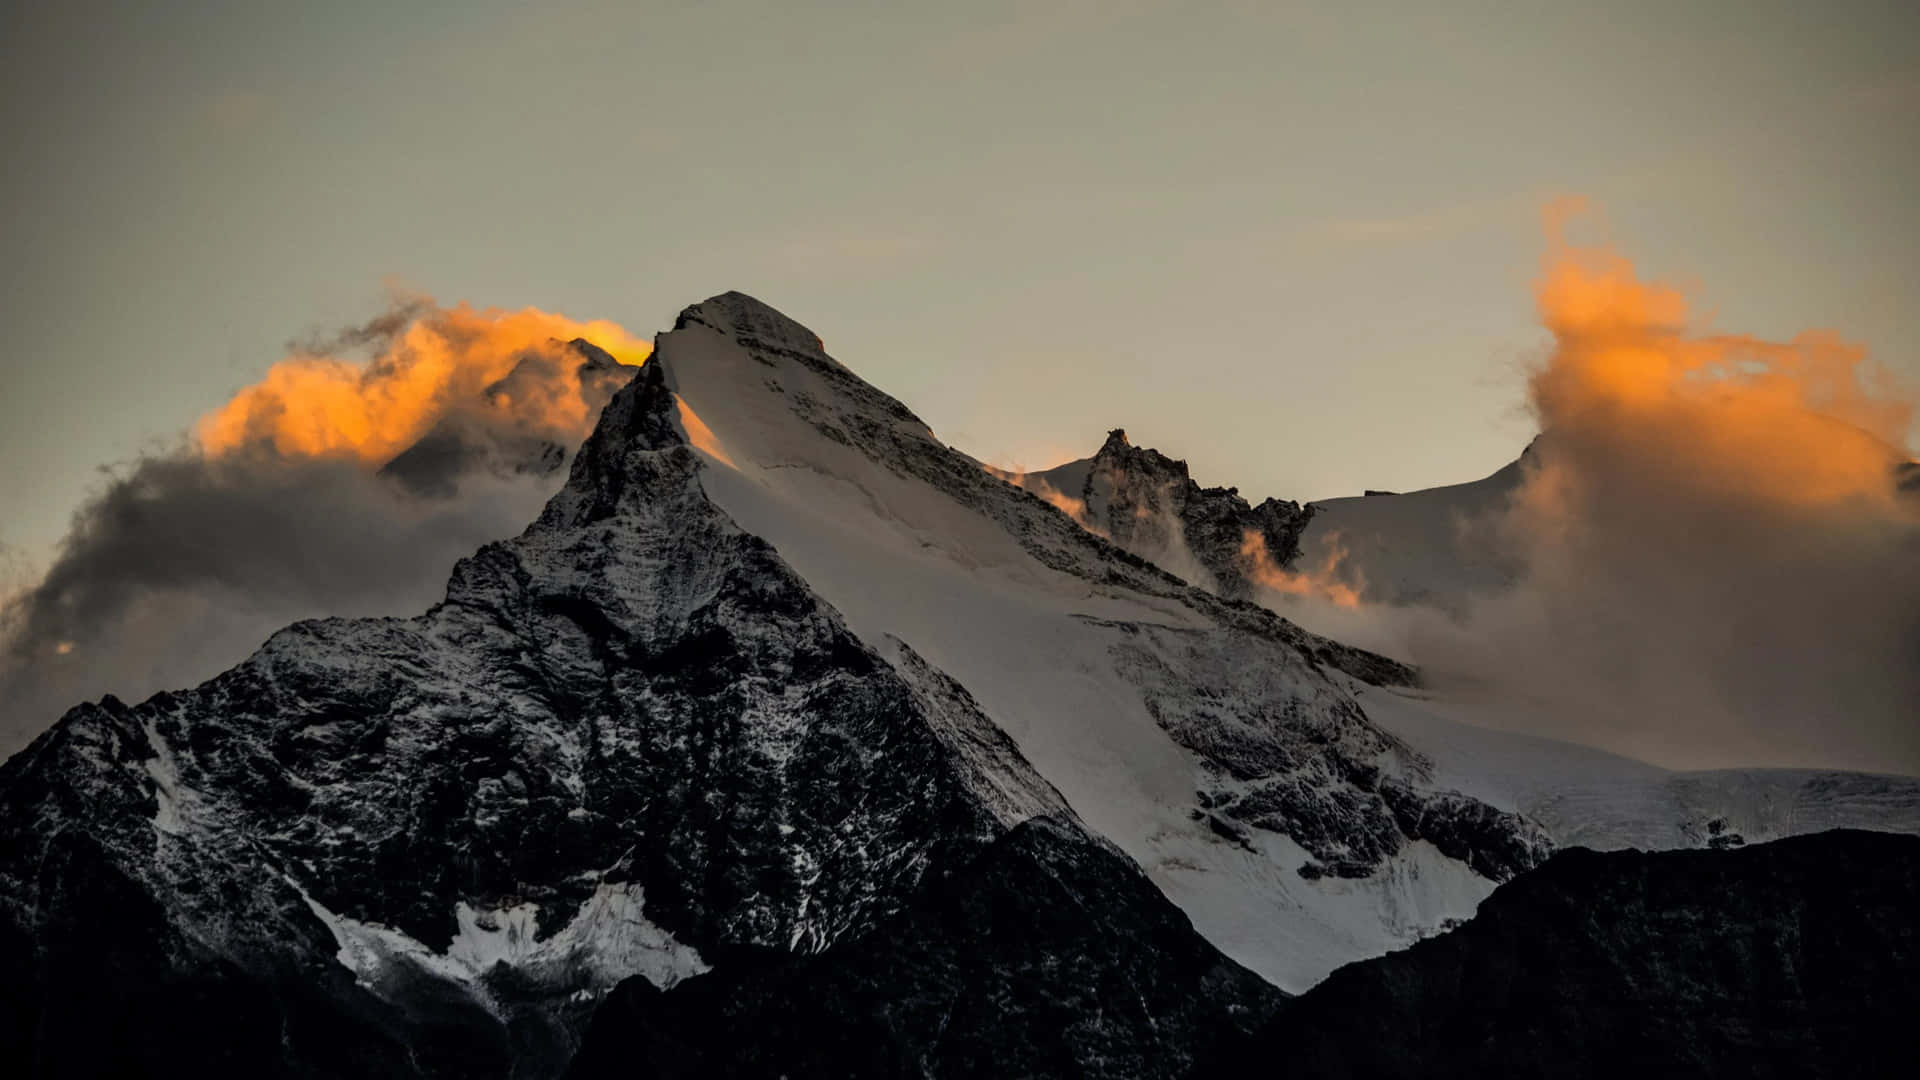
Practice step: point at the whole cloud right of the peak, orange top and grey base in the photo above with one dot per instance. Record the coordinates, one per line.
(1719, 562)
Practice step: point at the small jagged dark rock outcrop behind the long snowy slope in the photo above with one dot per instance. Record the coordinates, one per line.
(1149, 504)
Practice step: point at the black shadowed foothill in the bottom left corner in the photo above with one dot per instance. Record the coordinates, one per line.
(108, 985)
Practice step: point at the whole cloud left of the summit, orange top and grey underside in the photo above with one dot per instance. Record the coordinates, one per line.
(337, 485)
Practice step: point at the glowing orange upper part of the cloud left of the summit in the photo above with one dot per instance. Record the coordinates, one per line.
(441, 360)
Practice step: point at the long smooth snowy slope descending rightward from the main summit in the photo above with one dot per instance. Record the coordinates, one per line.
(1201, 737)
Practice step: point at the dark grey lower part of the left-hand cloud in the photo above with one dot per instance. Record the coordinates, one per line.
(183, 566)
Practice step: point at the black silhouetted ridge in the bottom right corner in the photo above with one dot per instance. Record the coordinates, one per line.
(1796, 958)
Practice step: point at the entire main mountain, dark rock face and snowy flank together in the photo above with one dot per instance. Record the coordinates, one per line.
(786, 714)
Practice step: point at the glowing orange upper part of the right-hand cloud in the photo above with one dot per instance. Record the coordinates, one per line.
(1806, 422)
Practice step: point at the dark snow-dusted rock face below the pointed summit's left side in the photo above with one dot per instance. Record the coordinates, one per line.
(627, 741)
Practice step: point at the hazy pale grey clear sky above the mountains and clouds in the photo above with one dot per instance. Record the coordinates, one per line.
(1289, 245)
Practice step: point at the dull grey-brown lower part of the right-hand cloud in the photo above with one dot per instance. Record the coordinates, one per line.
(1702, 631)
